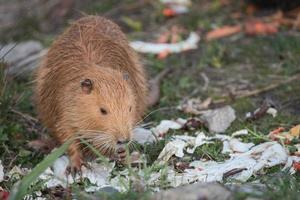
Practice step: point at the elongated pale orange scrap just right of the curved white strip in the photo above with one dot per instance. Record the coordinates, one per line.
(222, 32)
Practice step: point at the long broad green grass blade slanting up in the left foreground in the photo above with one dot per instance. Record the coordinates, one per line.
(21, 188)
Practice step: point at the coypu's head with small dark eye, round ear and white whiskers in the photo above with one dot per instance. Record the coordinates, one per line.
(103, 108)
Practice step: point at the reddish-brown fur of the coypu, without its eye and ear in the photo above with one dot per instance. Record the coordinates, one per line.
(94, 48)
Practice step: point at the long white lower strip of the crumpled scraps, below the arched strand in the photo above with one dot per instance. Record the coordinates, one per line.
(245, 165)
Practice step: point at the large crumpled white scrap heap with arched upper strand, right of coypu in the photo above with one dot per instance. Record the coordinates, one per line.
(245, 158)
